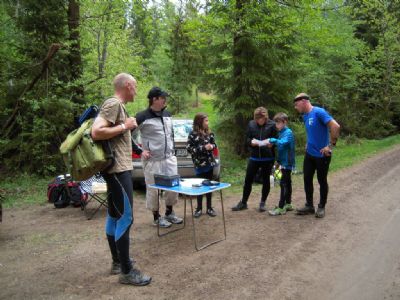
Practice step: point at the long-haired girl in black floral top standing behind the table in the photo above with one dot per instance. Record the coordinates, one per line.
(200, 144)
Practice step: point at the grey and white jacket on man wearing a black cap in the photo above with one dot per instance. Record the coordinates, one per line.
(156, 132)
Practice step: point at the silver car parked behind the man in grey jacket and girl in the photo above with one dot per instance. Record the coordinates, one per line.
(182, 128)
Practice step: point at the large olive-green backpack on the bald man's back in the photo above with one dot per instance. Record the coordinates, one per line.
(83, 156)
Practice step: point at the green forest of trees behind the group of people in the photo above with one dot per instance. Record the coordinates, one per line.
(57, 57)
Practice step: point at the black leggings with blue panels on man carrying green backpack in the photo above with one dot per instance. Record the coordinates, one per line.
(120, 217)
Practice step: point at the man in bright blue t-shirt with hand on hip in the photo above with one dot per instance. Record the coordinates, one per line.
(322, 133)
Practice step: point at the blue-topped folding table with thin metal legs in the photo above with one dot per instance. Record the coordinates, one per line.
(188, 193)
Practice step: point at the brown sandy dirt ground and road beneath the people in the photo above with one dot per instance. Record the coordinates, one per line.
(353, 253)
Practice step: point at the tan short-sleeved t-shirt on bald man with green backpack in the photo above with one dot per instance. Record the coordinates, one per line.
(114, 112)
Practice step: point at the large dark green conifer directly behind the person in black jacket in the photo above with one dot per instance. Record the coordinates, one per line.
(250, 62)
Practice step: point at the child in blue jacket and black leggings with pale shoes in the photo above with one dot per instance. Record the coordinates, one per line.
(286, 159)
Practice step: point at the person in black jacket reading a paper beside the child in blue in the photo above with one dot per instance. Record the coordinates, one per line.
(262, 156)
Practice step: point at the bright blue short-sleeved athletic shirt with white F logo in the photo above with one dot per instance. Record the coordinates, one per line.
(317, 130)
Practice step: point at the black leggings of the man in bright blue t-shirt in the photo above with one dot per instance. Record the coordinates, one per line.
(321, 165)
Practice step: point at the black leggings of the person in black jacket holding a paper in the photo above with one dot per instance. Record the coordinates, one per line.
(251, 171)
